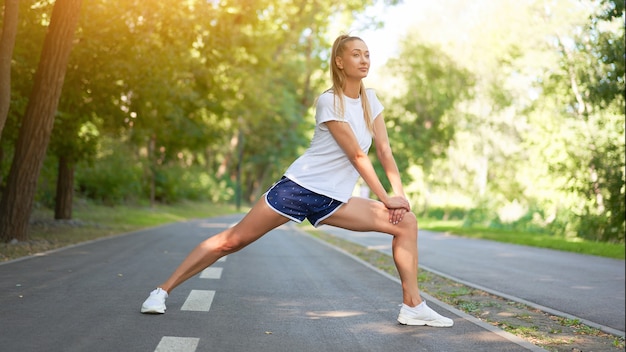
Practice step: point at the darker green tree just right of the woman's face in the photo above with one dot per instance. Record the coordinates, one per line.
(423, 116)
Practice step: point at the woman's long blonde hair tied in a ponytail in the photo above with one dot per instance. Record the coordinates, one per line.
(339, 78)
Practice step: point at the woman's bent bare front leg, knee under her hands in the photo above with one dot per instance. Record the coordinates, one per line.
(361, 214)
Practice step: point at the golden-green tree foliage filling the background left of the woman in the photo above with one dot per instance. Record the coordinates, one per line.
(172, 78)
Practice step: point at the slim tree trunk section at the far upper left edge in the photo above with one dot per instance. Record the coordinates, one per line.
(7, 43)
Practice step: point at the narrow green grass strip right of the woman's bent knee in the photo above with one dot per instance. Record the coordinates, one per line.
(575, 245)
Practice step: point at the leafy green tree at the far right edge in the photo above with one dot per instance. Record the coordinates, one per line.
(590, 86)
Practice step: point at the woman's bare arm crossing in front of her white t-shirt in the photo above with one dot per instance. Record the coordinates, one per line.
(346, 139)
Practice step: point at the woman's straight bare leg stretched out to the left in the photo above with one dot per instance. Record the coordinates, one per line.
(259, 221)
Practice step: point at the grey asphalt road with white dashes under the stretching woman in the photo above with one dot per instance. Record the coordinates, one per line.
(286, 292)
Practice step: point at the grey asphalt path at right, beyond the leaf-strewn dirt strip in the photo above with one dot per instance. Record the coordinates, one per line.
(588, 288)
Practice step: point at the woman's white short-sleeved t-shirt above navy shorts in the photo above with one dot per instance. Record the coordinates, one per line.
(324, 168)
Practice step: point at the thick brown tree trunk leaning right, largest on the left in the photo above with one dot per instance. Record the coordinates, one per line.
(32, 142)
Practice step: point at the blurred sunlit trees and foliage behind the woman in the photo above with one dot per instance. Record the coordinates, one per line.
(506, 114)
